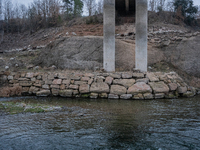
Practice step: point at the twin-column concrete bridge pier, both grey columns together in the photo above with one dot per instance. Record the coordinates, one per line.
(109, 34)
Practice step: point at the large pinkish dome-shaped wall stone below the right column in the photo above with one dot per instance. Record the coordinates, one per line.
(139, 87)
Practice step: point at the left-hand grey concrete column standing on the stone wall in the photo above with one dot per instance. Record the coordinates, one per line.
(109, 36)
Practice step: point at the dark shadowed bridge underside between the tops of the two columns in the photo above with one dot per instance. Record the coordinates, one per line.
(125, 7)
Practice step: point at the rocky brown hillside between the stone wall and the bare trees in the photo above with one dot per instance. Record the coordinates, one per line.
(71, 48)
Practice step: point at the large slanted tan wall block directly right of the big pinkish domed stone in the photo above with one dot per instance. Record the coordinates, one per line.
(159, 87)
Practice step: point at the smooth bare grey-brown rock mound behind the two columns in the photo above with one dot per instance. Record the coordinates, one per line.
(87, 53)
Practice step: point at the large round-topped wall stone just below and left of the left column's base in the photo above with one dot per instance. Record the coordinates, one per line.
(100, 87)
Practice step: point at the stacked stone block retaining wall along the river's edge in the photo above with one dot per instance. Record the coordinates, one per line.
(119, 85)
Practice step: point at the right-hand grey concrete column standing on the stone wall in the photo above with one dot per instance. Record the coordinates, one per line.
(141, 35)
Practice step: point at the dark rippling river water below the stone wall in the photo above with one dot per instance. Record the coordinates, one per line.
(105, 124)
